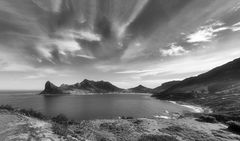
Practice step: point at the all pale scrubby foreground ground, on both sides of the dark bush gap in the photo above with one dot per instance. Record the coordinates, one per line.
(16, 127)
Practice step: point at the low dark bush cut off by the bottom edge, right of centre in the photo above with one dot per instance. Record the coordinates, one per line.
(157, 138)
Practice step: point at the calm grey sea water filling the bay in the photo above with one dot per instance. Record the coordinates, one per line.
(87, 107)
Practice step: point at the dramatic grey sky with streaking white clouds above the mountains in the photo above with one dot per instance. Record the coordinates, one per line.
(126, 42)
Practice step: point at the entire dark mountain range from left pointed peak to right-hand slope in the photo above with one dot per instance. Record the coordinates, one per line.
(224, 79)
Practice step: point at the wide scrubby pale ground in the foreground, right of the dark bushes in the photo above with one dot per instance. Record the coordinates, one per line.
(185, 129)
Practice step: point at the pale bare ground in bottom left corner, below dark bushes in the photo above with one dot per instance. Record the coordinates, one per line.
(16, 127)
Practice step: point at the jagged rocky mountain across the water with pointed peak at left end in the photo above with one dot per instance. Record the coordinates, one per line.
(85, 87)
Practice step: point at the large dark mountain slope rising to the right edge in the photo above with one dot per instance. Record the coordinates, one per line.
(224, 79)
